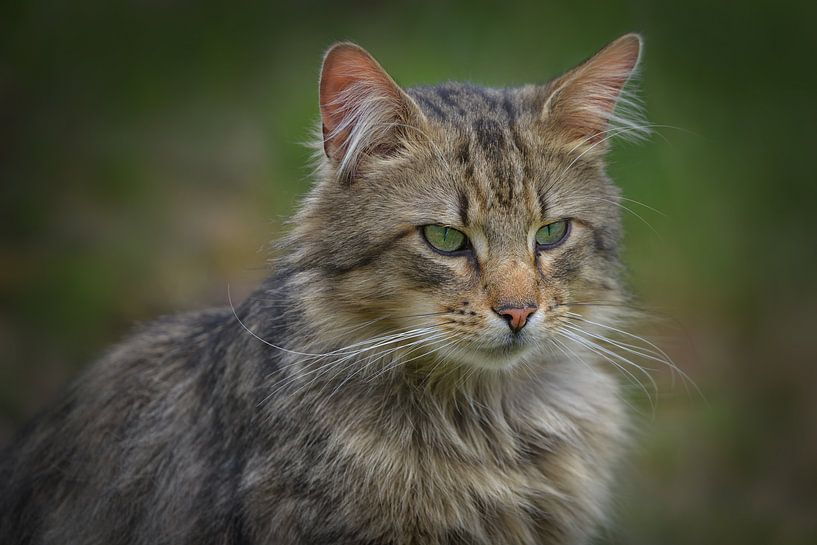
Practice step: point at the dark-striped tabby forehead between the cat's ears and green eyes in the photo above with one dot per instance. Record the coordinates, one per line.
(501, 170)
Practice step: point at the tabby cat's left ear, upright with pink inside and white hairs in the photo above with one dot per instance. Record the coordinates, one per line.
(363, 111)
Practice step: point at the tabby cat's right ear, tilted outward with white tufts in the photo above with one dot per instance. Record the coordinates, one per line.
(581, 105)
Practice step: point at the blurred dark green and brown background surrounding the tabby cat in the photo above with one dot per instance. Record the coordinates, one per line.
(150, 150)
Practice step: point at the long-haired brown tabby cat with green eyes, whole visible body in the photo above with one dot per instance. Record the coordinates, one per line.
(413, 370)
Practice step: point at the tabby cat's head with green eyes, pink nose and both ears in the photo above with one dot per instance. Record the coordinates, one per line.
(471, 220)
